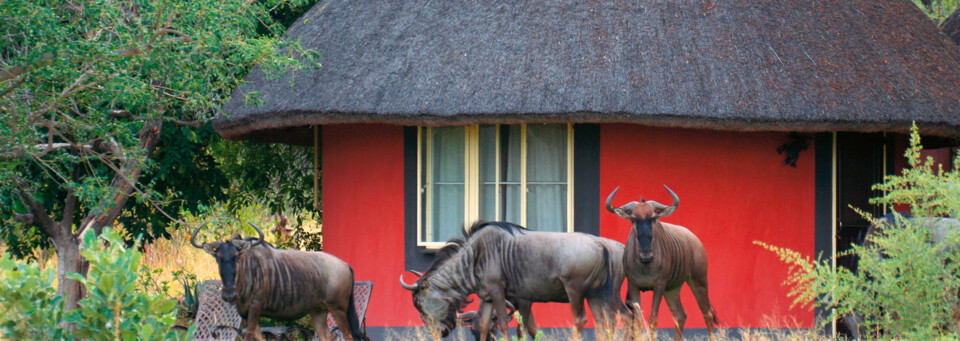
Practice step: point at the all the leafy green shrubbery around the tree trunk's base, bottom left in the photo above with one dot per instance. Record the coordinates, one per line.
(115, 307)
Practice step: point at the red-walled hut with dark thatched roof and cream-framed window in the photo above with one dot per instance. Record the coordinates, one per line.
(432, 114)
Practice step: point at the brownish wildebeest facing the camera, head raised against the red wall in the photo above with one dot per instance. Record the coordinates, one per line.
(661, 257)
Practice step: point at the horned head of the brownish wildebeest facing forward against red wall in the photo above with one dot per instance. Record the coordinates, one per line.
(643, 215)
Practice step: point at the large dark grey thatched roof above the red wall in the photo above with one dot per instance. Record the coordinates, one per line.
(786, 65)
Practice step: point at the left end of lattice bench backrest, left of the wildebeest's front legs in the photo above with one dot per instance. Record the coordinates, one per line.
(214, 312)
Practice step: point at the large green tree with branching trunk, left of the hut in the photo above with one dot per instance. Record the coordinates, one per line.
(89, 89)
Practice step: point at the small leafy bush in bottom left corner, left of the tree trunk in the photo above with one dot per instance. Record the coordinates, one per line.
(31, 309)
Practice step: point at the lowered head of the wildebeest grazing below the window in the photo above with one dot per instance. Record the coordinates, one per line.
(437, 306)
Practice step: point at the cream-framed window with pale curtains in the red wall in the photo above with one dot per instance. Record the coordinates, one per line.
(518, 173)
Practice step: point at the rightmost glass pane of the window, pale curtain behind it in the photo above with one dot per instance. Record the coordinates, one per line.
(547, 177)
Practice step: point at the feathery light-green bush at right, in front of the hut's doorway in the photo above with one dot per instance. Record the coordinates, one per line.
(907, 283)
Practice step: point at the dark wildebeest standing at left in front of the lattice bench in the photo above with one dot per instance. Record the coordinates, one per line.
(286, 284)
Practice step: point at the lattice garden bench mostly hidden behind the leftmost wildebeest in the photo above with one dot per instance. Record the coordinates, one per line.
(218, 320)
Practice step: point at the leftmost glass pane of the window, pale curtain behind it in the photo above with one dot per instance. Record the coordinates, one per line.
(446, 183)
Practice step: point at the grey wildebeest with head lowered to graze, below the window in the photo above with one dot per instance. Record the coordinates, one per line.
(502, 260)
